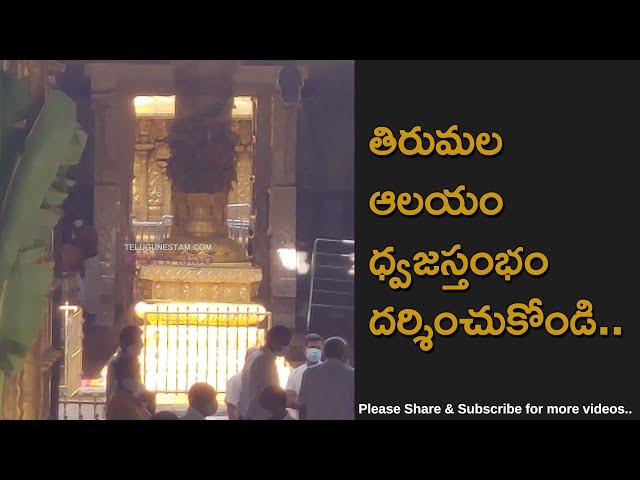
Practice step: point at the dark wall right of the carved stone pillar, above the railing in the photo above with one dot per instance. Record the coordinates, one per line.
(324, 164)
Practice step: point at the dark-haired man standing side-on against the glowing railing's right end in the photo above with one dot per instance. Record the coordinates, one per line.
(260, 372)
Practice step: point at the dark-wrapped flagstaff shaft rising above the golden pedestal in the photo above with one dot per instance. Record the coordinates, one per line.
(203, 166)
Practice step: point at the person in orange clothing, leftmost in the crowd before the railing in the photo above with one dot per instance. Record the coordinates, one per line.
(127, 398)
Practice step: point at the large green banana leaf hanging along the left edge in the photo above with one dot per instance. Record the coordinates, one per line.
(32, 188)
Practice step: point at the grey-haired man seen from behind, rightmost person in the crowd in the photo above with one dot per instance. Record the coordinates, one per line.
(327, 390)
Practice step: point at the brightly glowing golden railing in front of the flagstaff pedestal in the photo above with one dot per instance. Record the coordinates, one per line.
(198, 343)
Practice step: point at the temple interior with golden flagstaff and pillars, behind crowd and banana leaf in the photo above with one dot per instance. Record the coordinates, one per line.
(216, 190)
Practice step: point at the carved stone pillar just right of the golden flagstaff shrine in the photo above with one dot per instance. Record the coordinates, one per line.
(274, 188)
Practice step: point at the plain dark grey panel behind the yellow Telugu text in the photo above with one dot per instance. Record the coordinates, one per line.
(567, 177)
